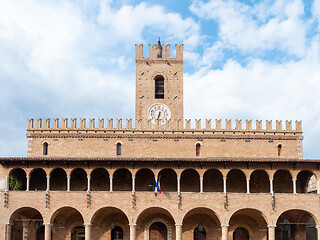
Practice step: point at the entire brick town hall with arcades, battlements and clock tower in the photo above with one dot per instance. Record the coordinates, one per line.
(159, 176)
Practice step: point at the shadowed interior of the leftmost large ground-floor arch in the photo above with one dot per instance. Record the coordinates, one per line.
(27, 219)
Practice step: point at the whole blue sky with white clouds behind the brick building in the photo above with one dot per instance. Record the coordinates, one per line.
(245, 59)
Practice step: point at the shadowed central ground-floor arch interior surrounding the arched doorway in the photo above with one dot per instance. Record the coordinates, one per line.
(148, 217)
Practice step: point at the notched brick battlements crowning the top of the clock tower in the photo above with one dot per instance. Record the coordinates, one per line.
(153, 50)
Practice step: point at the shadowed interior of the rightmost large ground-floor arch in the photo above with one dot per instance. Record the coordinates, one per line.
(296, 224)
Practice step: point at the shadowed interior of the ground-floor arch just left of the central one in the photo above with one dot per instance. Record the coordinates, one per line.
(107, 219)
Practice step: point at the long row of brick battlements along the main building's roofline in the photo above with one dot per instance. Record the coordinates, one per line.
(172, 125)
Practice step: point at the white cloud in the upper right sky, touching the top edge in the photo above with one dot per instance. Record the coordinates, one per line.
(258, 27)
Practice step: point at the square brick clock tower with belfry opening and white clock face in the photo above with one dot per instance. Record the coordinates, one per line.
(159, 84)
